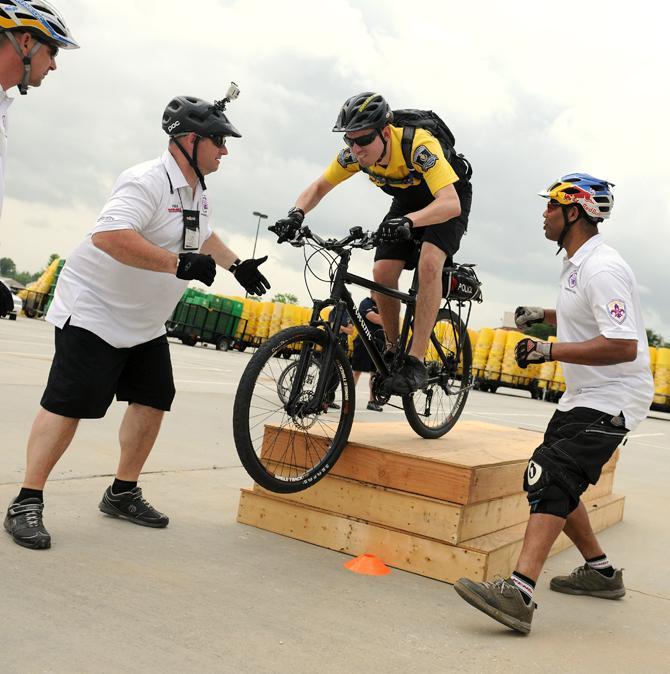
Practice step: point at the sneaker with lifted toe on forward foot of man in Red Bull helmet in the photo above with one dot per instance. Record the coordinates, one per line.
(500, 599)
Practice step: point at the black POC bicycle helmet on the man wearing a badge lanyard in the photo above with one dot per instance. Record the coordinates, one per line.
(187, 114)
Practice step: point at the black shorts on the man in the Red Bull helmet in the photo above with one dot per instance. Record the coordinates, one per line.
(576, 446)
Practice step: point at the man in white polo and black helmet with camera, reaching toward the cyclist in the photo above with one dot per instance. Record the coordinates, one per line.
(113, 297)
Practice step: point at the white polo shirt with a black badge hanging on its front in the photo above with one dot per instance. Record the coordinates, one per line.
(125, 305)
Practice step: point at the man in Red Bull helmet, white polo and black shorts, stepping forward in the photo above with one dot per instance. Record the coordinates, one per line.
(605, 359)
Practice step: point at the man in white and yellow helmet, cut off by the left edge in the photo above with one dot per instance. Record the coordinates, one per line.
(31, 33)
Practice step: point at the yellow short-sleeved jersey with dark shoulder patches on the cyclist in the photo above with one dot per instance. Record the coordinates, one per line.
(428, 162)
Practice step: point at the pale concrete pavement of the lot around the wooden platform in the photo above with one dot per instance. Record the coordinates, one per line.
(209, 595)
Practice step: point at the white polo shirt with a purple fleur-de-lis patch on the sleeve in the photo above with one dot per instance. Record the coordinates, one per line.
(598, 296)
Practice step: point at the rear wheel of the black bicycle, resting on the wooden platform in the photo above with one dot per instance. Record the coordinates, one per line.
(433, 411)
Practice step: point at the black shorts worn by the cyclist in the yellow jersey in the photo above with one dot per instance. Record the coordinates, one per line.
(445, 235)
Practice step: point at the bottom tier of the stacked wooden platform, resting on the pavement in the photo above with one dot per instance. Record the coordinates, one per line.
(479, 559)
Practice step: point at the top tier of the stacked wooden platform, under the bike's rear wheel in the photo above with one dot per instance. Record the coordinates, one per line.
(474, 462)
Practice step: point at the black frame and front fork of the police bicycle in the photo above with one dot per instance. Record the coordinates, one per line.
(341, 299)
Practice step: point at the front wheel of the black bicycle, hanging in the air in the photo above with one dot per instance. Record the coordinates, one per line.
(286, 439)
